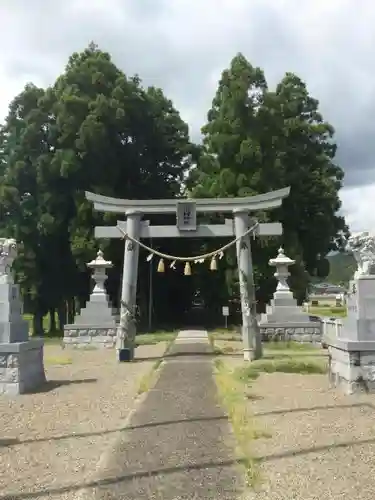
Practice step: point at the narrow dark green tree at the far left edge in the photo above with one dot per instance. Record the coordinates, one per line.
(26, 150)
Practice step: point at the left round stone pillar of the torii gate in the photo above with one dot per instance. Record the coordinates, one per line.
(127, 328)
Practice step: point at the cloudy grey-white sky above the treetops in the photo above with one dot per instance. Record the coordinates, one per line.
(183, 45)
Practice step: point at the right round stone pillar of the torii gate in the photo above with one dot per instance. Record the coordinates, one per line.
(251, 339)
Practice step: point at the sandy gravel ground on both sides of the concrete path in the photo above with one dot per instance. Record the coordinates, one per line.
(317, 444)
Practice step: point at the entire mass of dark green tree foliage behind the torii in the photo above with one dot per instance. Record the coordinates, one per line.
(97, 129)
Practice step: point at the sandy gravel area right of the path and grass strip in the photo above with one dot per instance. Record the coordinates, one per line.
(322, 443)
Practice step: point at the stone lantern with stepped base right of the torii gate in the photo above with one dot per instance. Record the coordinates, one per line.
(284, 319)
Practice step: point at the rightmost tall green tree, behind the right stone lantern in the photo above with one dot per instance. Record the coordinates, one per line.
(307, 164)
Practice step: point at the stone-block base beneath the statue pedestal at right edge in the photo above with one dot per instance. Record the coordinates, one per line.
(352, 370)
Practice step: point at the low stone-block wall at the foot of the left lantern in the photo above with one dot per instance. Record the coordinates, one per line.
(81, 337)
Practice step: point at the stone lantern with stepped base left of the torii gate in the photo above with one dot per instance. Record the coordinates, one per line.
(95, 325)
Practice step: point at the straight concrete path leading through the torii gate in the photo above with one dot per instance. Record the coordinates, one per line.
(178, 444)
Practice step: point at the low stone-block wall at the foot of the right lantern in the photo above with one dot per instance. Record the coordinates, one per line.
(306, 333)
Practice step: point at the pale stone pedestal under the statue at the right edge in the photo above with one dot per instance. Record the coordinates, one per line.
(351, 344)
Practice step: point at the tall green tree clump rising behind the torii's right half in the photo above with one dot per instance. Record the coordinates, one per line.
(255, 141)
